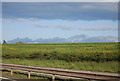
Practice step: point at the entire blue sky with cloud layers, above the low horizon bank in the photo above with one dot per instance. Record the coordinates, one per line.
(59, 19)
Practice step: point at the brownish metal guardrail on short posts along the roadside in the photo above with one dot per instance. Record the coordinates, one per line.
(64, 72)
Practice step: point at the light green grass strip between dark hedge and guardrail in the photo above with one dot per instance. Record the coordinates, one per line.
(111, 66)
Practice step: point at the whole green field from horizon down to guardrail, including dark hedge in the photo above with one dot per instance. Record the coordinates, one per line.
(81, 56)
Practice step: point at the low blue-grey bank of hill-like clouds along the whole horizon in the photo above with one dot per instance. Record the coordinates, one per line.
(73, 39)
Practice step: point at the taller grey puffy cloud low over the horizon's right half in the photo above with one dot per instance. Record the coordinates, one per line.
(85, 38)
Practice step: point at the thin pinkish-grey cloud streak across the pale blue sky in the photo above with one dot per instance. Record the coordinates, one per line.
(69, 27)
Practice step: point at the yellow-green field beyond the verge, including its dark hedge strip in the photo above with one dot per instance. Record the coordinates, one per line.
(70, 52)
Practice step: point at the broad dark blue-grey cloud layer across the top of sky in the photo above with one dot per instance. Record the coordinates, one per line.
(61, 10)
